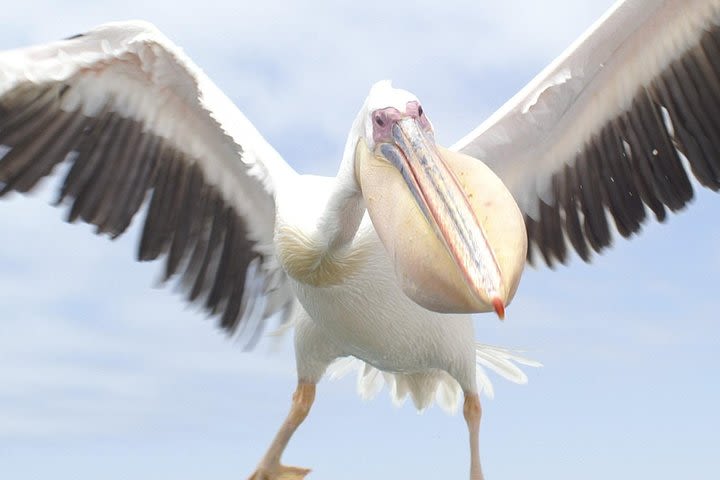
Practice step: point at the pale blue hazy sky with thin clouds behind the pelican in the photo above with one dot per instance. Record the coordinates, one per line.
(104, 375)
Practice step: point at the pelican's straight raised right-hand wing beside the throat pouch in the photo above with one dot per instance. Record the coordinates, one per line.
(606, 127)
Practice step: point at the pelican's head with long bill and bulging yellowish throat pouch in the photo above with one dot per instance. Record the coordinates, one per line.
(454, 232)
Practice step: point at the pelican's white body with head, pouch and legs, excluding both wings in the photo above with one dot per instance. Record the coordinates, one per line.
(371, 257)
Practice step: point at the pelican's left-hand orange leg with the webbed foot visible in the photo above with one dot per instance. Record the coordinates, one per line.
(270, 467)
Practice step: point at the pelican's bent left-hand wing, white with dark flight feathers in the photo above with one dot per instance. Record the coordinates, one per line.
(139, 121)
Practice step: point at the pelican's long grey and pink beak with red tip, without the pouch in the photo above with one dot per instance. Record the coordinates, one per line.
(446, 207)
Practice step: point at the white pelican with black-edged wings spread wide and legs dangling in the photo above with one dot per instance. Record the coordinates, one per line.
(384, 262)
